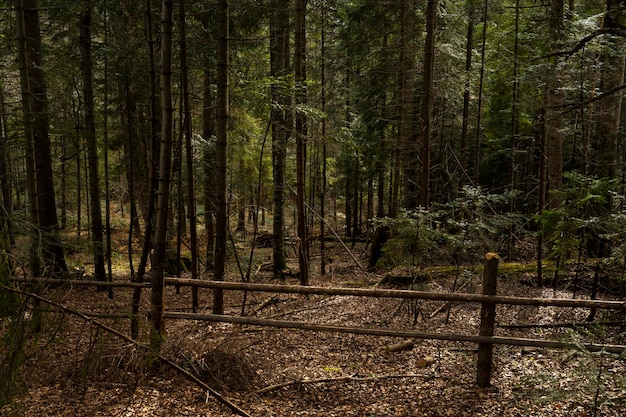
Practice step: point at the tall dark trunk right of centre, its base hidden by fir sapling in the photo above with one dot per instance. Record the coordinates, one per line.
(427, 101)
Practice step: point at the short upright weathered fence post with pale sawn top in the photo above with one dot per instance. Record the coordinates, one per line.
(487, 320)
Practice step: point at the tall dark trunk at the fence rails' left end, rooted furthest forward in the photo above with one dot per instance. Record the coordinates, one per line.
(165, 165)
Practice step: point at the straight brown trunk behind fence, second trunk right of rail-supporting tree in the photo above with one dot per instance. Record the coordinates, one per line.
(221, 223)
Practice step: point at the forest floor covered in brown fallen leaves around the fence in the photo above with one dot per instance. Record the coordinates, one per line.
(76, 369)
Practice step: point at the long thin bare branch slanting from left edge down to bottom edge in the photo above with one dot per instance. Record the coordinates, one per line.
(157, 355)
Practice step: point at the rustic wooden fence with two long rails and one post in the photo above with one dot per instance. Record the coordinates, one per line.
(488, 301)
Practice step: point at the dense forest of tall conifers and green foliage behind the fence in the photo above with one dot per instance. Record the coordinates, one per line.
(432, 131)
